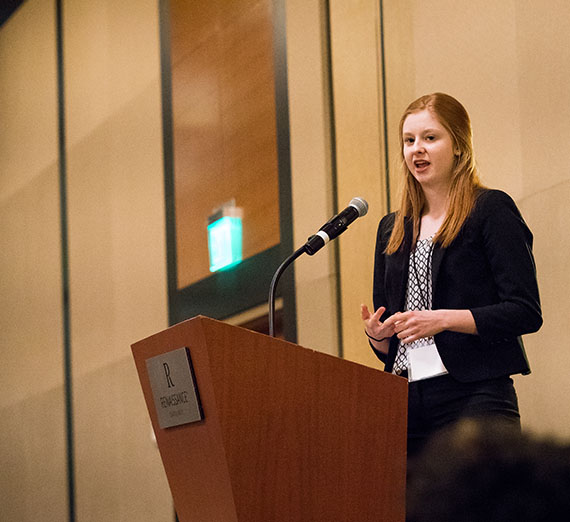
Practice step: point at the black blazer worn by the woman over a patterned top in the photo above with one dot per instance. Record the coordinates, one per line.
(488, 269)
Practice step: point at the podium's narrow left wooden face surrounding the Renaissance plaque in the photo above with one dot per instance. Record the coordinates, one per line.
(193, 455)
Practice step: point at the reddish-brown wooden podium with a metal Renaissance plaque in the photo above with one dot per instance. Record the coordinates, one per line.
(288, 434)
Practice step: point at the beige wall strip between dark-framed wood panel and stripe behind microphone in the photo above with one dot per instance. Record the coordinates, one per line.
(311, 173)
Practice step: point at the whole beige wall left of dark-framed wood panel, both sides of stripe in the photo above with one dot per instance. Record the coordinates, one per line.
(116, 254)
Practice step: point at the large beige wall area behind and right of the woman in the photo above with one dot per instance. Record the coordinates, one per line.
(509, 65)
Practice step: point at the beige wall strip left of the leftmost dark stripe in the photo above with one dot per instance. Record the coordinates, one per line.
(32, 437)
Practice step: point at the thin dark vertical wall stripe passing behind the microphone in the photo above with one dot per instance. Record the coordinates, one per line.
(332, 123)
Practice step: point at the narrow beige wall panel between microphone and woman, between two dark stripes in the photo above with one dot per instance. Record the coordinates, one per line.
(357, 95)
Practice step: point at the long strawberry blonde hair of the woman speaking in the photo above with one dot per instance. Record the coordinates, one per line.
(465, 179)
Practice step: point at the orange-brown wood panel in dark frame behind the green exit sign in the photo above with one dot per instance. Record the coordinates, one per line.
(223, 99)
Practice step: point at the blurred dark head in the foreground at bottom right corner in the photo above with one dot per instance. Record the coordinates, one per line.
(484, 472)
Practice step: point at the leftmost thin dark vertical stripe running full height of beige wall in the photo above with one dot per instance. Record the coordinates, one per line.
(65, 264)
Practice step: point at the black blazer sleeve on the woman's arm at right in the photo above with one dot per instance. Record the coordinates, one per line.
(508, 247)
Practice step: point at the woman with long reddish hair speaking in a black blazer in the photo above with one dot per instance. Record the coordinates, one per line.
(454, 279)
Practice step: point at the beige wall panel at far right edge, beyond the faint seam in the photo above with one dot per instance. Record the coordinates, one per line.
(543, 51)
